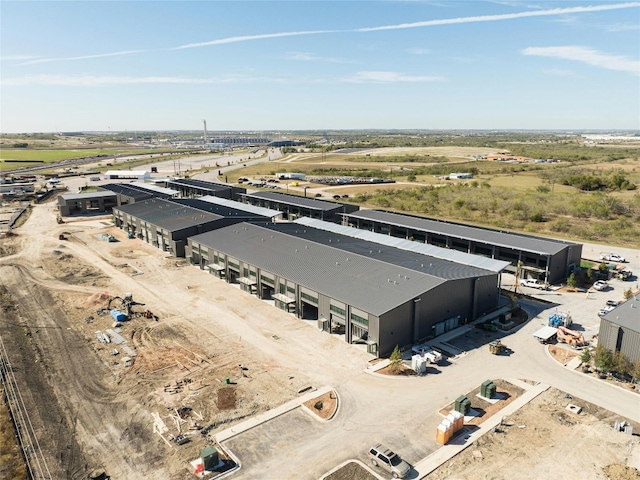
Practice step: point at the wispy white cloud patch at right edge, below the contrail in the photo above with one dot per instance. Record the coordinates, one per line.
(589, 56)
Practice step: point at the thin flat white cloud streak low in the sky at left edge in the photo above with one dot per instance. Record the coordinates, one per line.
(97, 81)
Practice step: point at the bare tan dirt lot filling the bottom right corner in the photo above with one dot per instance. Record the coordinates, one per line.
(545, 440)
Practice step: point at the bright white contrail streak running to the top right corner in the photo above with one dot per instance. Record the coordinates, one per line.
(506, 16)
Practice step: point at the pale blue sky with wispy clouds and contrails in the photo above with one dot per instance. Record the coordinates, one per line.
(316, 65)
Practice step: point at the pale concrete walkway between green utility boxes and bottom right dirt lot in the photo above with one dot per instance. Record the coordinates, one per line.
(446, 452)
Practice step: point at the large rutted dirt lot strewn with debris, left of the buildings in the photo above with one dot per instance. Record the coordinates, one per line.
(80, 397)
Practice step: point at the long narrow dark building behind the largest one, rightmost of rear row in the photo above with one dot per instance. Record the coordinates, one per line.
(544, 259)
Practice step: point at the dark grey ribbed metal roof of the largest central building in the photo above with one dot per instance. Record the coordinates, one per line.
(344, 270)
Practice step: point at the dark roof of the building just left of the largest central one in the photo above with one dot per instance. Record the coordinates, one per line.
(168, 215)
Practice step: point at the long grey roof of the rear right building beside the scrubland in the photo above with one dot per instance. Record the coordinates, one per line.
(516, 241)
